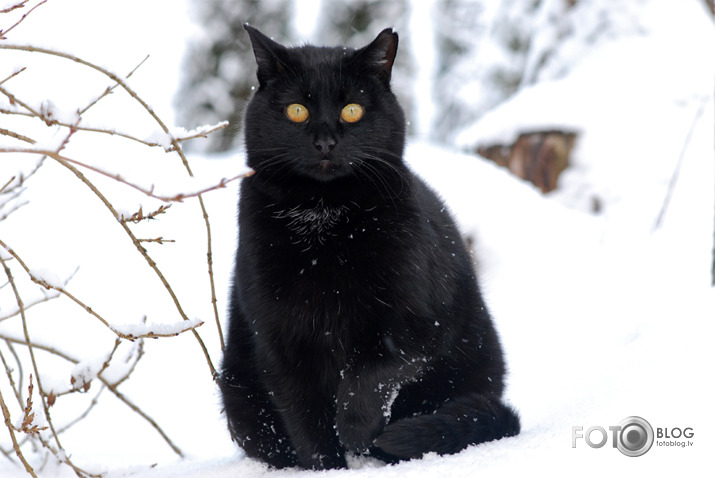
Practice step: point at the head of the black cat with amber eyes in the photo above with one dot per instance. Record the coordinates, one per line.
(324, 113)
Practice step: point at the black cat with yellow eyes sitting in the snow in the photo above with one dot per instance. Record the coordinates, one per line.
(356, 323)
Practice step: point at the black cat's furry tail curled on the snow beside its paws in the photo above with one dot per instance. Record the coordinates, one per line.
(461, 422)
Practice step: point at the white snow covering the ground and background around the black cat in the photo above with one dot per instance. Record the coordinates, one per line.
(602, 316)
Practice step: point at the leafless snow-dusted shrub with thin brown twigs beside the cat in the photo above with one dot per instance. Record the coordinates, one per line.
(27, 405)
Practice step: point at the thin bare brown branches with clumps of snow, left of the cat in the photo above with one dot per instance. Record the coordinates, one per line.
(169, 140)
